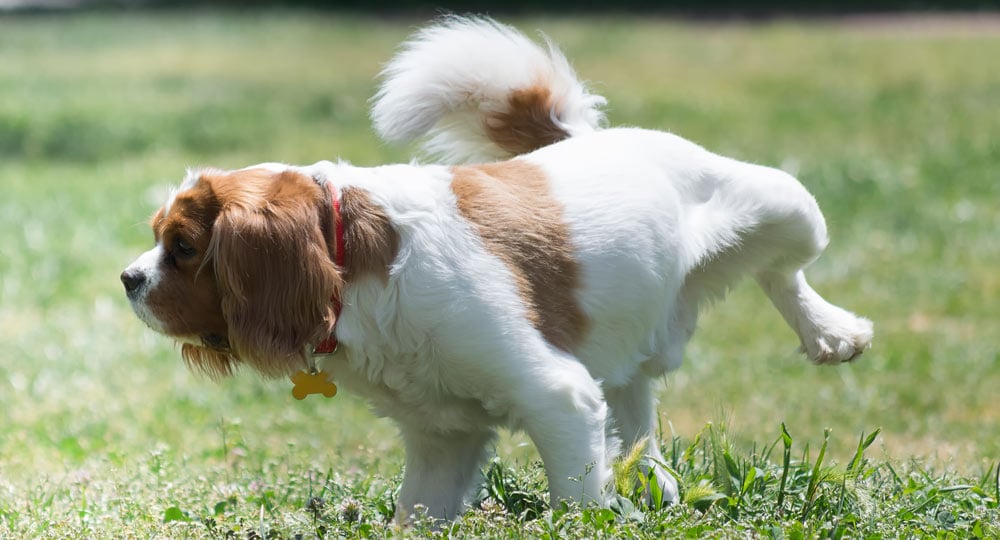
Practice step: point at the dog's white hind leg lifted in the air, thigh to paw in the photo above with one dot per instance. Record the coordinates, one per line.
(762, 221)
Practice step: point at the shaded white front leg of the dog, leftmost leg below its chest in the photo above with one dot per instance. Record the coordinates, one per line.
(440, 471)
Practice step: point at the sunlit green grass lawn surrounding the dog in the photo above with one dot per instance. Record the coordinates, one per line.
(893, 128)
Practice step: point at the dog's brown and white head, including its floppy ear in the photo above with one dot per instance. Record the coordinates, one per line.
(241, 271)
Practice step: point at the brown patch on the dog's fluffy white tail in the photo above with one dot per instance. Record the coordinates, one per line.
(528, 122)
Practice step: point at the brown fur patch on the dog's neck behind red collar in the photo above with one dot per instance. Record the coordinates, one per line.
(369, 239)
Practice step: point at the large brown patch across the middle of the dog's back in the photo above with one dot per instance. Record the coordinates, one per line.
(521, 223)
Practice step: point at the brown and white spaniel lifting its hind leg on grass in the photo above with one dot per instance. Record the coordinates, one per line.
(541, 276)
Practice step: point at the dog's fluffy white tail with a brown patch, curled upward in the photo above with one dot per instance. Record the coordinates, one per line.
(481, 91)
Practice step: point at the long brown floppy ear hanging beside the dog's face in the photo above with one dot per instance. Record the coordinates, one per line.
(276, 280)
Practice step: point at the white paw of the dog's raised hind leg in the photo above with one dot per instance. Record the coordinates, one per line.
(839, 336)
